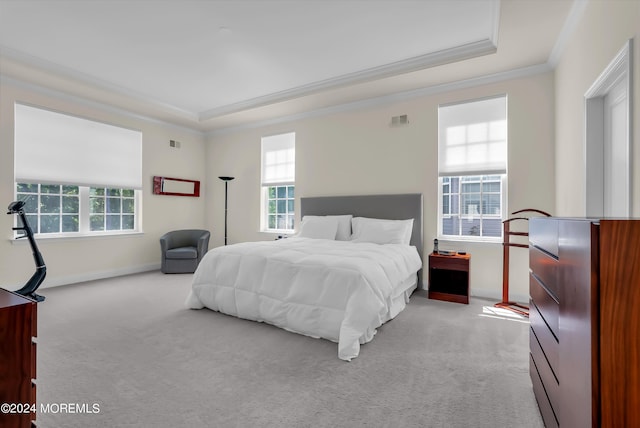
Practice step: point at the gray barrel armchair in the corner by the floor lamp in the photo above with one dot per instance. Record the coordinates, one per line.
(182, 250)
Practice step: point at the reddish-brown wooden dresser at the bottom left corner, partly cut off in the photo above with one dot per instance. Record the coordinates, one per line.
(18, 327)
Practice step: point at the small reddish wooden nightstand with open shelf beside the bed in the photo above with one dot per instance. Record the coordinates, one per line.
(449, 277)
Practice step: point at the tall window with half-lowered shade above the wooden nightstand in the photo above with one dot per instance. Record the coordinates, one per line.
(472, 147)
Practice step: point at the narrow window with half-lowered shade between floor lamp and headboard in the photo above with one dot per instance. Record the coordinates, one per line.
(278, 183)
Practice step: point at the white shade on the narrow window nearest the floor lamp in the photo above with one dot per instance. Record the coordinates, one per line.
(279, 159)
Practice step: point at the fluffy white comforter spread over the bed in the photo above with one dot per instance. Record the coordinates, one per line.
(338, 290)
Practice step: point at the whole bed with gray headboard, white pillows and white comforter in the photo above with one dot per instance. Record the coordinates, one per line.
(327, 282)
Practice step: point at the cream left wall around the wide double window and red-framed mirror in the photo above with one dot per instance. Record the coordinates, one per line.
(77, 259)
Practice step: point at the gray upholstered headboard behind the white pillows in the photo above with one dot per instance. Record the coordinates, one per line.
(393, 207)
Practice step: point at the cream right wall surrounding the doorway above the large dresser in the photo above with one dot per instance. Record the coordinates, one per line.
(603, 30)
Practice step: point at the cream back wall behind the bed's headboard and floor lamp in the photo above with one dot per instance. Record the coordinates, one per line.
(356, 152)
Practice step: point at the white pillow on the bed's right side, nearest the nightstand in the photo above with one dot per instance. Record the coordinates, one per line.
(381, 231)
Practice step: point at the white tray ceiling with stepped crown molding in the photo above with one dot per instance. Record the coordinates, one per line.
(215, 64)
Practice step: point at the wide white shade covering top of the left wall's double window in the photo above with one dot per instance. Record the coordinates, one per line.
(56, 148)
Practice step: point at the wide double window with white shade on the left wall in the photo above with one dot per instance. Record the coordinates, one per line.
(76, 176)
